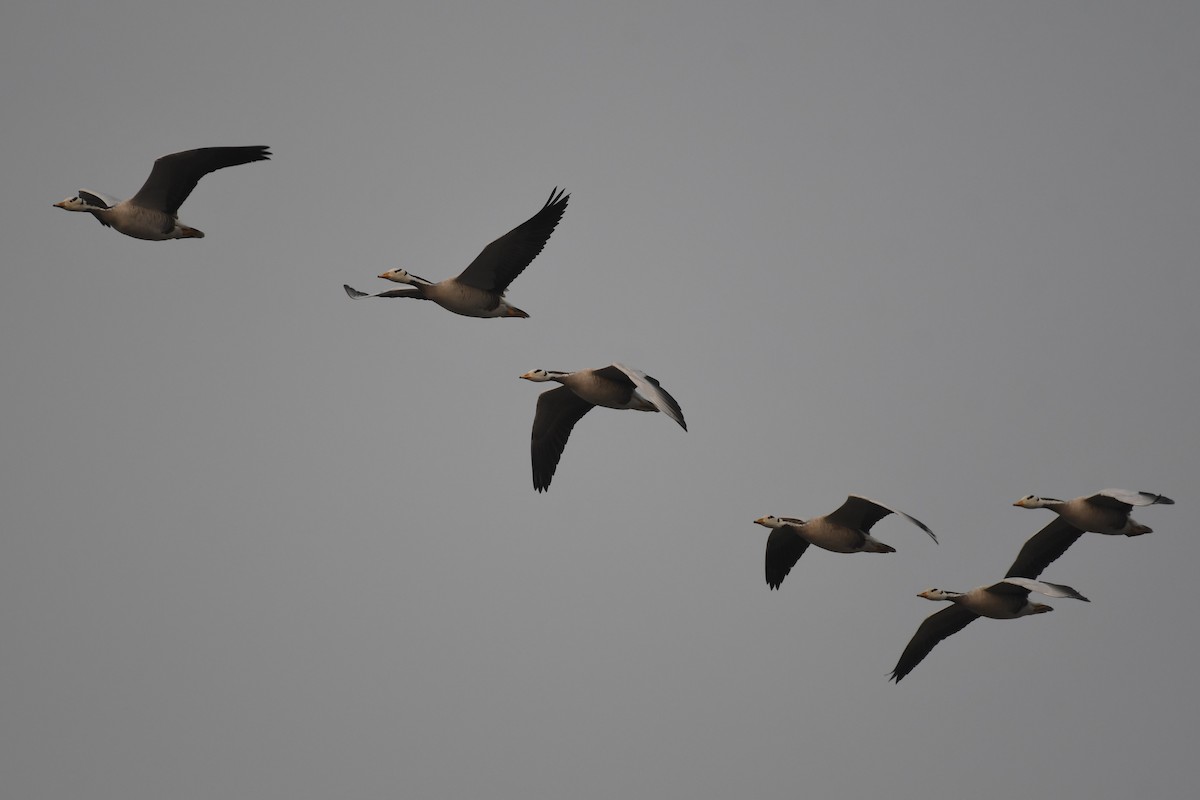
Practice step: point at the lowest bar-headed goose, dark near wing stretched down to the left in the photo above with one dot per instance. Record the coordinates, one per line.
(1009, 599)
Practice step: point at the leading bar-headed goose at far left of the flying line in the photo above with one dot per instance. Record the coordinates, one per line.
(153, 213)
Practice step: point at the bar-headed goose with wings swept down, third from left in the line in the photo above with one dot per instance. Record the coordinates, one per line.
(559, 411)
